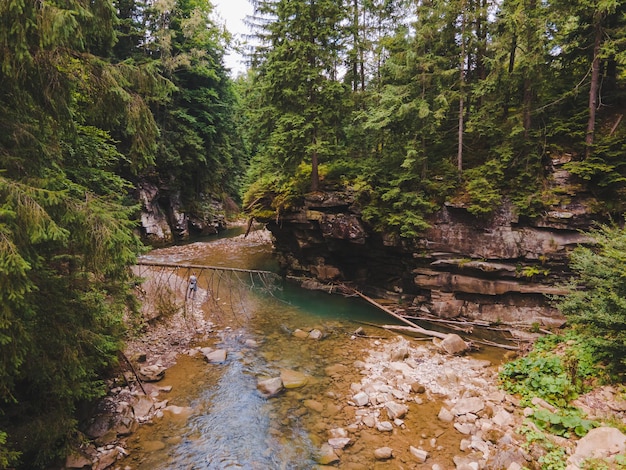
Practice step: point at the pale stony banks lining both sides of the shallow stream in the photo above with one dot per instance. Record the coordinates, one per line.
(396, 402)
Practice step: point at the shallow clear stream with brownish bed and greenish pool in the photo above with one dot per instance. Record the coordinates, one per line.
(227, 423)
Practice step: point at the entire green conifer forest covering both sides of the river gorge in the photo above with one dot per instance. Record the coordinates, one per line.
(408, 103)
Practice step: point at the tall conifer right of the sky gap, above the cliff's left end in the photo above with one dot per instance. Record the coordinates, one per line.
(301, 96)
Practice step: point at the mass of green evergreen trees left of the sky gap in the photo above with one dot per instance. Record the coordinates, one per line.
(91, 103)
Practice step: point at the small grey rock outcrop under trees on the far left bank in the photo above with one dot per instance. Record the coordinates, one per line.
(163, 219)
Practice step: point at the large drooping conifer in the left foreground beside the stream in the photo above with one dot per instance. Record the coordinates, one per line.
(66, 229)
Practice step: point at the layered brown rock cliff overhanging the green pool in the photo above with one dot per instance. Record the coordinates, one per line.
(495, 270)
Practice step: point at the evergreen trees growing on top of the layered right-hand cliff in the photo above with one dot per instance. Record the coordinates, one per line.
(463, 102)
